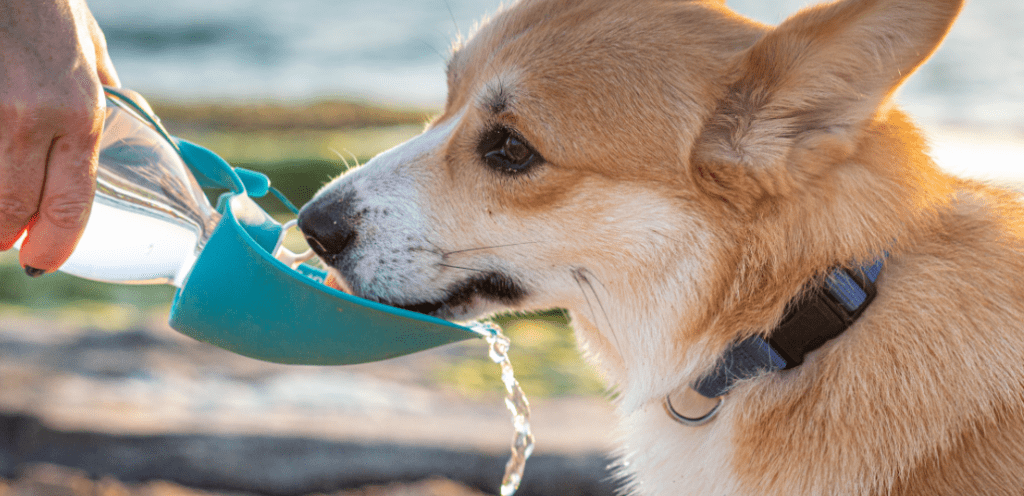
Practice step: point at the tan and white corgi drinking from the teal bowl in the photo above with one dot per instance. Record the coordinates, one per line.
(679, 177)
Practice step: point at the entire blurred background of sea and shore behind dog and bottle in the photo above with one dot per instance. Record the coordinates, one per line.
(99, 397)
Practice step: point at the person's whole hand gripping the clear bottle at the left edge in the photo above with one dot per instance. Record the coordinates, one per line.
(54, 64)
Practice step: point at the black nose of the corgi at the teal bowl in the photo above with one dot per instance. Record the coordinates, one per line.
(329, 226)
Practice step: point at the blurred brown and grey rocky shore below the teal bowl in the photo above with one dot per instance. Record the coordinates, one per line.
(149, 412)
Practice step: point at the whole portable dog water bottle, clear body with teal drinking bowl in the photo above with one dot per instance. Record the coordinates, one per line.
(152, 224)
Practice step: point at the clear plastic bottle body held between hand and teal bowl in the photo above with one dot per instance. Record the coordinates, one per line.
(150, 219)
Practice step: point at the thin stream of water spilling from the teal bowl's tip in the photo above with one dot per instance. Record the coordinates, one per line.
(523, 441)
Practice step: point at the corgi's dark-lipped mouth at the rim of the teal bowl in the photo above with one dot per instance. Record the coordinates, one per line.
(461, 300)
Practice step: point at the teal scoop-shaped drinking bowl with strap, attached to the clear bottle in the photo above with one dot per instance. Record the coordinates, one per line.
(240, 298)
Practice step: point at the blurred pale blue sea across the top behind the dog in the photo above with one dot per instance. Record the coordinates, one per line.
(394, 53)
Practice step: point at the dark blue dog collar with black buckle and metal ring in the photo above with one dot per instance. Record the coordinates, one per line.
(821, 315)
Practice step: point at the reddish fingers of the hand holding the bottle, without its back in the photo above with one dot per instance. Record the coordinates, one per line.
(48, 174)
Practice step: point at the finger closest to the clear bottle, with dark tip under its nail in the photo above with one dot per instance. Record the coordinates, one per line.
(66, 202)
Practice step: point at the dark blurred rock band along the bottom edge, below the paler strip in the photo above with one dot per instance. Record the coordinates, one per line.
(277, 467)
